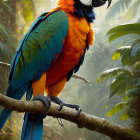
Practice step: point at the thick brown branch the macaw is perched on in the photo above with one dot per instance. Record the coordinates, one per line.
(83, 120)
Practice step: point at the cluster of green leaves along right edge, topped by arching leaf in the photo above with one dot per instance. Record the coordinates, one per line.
(127, 77)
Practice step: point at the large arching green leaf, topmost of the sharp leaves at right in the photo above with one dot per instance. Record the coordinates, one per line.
(123, 30)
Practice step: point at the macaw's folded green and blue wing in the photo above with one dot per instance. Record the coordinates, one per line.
(39, 47)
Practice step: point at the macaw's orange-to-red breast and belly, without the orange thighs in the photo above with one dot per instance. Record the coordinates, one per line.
(80, 32)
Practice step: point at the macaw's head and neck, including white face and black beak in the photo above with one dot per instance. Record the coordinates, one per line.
(82, 8)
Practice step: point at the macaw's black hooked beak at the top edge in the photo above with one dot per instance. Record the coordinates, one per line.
(98, 3)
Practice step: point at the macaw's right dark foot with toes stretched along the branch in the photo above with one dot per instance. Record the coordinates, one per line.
(61, 103)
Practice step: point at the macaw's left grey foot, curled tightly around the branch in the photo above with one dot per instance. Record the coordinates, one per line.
(45, 100)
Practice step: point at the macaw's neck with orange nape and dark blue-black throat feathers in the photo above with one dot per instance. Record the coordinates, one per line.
(78, 9)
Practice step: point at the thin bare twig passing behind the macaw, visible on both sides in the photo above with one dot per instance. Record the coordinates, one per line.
(2, 64)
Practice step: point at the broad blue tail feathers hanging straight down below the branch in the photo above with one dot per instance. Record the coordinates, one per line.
(32, 127)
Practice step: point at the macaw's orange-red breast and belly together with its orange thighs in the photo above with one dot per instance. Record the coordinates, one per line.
(80, 36)
